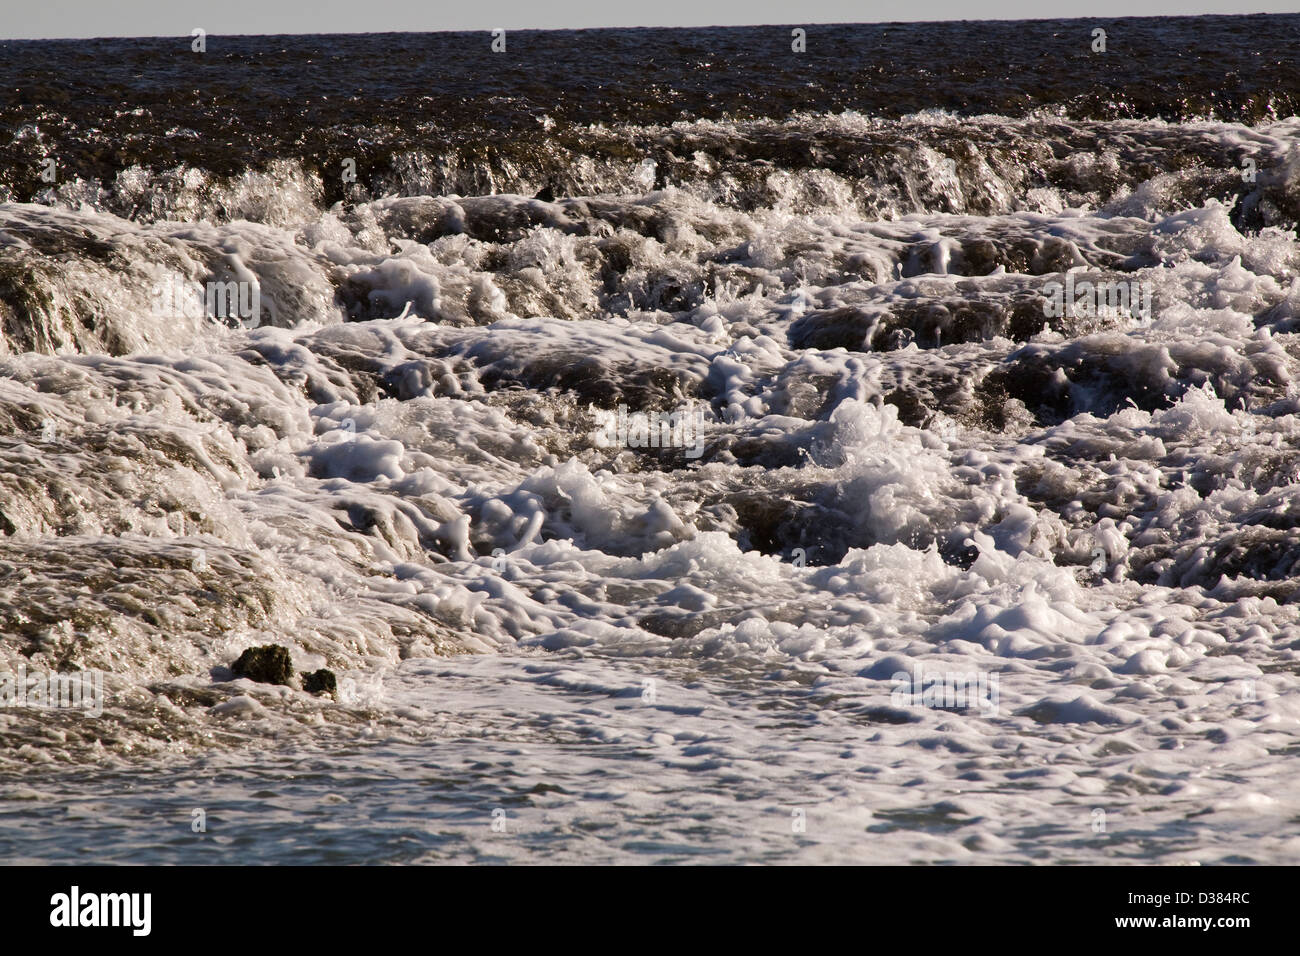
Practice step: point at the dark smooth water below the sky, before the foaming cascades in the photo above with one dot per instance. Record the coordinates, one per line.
(402, 105)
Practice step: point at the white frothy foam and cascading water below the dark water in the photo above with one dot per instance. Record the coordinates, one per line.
(905, 464)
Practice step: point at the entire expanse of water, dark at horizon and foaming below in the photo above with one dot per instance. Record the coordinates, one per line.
(972, 537)
